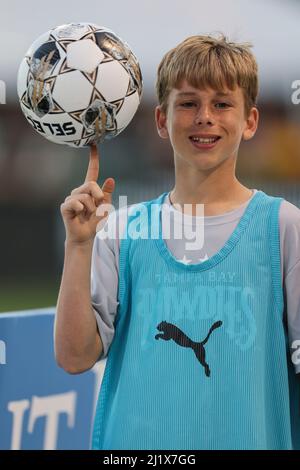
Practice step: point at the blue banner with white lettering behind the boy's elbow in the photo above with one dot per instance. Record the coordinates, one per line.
(41, 406)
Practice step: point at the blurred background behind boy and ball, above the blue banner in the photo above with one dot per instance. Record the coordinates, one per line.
(36, 175)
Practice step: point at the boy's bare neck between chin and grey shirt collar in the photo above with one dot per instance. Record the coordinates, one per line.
(217, 197)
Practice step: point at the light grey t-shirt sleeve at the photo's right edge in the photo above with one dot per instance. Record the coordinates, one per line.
(290, 238)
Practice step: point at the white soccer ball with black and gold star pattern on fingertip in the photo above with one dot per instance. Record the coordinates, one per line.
(79, 84)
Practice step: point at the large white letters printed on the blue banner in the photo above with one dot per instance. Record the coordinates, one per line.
(49, 407)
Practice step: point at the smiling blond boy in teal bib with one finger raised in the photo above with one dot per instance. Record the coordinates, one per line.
(197, 339)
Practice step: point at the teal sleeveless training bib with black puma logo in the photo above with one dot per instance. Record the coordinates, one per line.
(200, 356)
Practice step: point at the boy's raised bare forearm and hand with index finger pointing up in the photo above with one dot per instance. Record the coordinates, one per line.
(76, 338)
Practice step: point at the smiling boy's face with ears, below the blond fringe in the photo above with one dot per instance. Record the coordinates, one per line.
(195, 114)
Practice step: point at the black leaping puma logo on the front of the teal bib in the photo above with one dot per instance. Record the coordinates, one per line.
(171, 331)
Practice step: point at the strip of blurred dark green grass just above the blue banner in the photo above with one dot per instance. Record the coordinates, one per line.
(28, 294)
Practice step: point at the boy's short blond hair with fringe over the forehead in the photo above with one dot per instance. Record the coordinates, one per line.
(207, 61)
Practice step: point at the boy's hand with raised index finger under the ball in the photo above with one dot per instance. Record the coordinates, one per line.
(79, 209)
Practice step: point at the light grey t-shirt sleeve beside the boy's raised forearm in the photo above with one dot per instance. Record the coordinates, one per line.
(104, 281)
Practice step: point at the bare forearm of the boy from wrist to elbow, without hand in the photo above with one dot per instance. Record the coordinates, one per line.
(77, 341)
